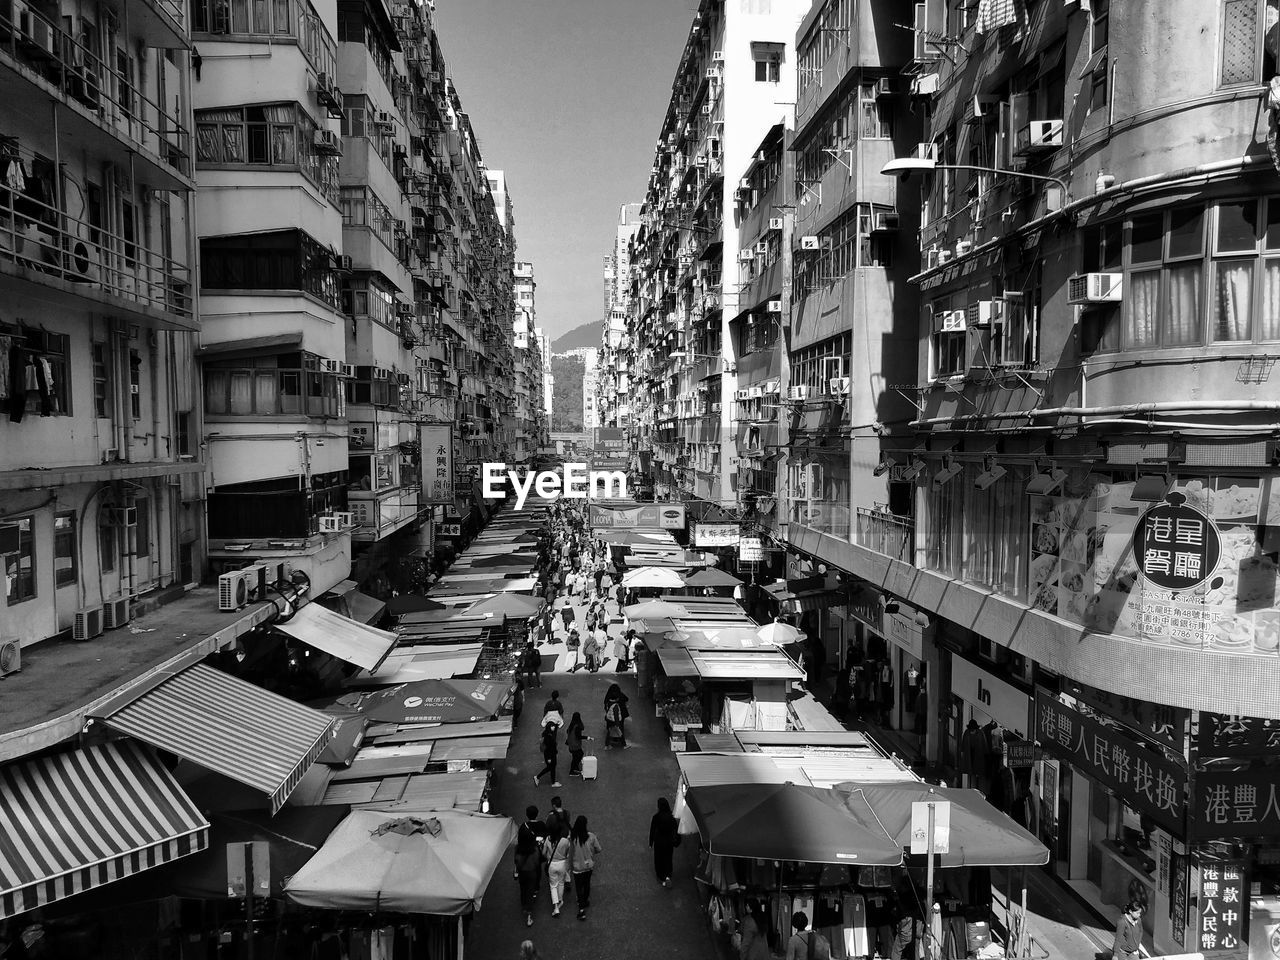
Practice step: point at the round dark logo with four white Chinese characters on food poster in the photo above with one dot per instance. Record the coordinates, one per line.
(1178, 547)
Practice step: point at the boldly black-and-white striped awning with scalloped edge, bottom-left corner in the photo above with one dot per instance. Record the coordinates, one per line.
(84, 819)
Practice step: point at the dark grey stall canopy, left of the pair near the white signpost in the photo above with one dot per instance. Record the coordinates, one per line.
(790, 822)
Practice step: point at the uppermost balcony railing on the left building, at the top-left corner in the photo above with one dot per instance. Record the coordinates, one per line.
(83, 77)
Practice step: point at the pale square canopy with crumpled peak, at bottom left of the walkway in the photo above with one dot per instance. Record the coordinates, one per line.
(422, 863)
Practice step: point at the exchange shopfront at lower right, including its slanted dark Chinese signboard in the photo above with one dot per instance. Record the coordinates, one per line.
(1113, 810)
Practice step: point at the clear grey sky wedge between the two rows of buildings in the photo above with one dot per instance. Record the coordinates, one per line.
(566, 97)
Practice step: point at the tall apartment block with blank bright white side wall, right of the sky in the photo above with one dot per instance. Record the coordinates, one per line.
(735, 83)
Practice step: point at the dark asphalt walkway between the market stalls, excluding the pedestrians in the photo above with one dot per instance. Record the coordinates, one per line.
(628, 903)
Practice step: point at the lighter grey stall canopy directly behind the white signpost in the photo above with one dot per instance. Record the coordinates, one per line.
(981, 835)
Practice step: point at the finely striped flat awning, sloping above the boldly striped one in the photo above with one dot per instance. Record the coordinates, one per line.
(225, 725)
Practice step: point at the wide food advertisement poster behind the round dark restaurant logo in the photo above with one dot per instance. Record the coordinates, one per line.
(1096, 561)
